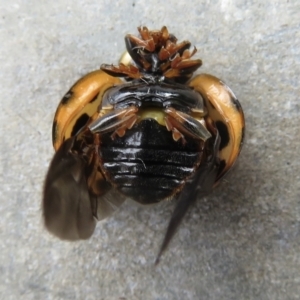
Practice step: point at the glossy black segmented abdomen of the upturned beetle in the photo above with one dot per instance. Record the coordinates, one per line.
(146, 164)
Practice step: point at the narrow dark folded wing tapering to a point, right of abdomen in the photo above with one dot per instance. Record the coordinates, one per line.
(198, 185)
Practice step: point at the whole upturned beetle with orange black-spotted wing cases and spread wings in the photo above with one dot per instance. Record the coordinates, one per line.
(157, 134)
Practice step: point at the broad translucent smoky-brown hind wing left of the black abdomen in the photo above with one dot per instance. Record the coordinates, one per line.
(72, 202)
